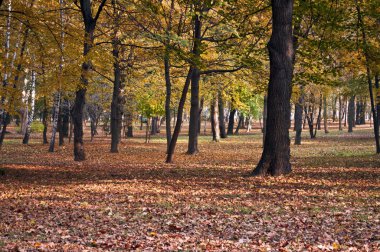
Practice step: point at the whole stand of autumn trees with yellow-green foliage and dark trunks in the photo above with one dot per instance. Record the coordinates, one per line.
(112, 60)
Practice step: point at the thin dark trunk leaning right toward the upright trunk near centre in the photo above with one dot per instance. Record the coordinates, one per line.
(178, 124)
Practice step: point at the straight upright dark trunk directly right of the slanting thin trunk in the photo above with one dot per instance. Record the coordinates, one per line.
(195, 77)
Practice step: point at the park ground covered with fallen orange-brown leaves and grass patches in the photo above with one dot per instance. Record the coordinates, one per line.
(134, 201)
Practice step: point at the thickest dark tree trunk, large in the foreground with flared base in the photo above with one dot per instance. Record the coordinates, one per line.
(275, 159)
